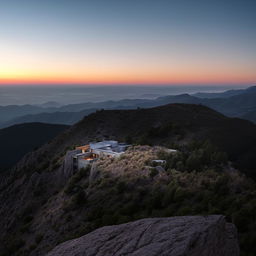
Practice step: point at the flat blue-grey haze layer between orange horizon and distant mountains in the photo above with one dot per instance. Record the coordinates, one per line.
(19, 95)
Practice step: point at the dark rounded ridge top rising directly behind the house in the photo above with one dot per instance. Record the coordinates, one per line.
(154, 126)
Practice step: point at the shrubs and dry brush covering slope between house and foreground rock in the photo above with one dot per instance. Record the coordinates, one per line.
(115, 191)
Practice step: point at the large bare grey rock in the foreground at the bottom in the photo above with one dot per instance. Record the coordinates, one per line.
(175, 236)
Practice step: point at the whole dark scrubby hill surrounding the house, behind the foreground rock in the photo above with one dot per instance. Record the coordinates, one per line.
(45, 203)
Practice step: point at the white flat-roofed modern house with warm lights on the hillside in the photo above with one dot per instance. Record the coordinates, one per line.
(89, 153)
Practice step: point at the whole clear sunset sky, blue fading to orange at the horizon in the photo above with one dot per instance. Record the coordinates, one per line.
(128, 42)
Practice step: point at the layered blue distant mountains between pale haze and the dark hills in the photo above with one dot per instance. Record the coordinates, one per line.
(233, 103)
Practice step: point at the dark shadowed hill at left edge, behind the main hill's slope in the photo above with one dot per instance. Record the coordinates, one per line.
(18, 140)
